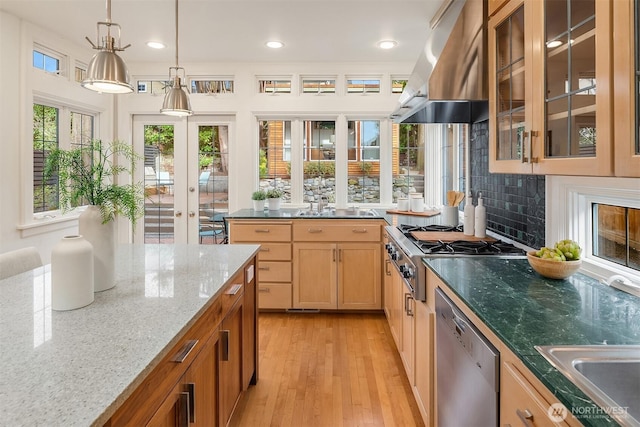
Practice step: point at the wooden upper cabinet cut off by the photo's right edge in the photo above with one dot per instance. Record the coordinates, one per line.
(626, 75)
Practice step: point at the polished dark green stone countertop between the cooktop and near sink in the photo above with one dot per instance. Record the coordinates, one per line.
(524, 309)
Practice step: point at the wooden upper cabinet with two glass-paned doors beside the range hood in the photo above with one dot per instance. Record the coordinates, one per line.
(550, 87)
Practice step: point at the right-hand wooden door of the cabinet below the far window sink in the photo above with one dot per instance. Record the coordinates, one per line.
(359, 282)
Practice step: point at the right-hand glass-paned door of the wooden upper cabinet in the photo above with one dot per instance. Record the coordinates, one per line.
(576, 93)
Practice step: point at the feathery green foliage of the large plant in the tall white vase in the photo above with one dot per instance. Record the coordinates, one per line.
(86, 175)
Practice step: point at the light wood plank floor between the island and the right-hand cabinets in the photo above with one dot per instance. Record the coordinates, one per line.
(327, 370)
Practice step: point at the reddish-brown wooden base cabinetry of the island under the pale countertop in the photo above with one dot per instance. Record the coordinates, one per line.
(201, 380)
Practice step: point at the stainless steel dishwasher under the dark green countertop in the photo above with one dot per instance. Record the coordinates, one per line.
(467, 370)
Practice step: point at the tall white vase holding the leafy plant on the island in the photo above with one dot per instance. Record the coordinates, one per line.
(102, 238)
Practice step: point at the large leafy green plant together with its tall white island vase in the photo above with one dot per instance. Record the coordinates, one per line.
(86, 177)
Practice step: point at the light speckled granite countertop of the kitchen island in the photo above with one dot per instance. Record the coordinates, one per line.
(75, 368)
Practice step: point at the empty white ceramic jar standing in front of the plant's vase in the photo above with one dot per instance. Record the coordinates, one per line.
(71, 274)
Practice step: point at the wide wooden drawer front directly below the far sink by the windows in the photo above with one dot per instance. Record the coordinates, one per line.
(310, 231)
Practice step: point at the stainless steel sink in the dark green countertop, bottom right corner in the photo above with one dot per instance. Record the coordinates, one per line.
(608, 374)
